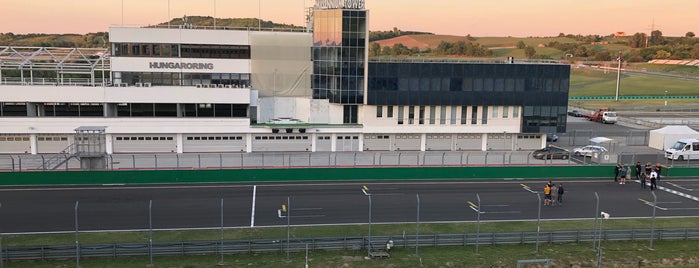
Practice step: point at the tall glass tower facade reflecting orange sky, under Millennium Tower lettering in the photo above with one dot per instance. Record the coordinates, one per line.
(338, 52)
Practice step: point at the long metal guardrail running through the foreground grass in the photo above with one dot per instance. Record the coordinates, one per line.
(356, 243)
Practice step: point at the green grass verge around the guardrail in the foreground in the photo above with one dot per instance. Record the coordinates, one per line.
(616, 254)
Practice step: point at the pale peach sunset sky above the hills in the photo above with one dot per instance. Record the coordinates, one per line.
(517, 18)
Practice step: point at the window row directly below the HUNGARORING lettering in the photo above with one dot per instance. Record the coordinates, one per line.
(233, 80)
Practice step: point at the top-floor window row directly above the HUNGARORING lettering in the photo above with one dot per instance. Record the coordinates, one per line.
(180, 51)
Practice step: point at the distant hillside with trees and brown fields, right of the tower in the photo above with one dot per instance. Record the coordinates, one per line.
(569, 47)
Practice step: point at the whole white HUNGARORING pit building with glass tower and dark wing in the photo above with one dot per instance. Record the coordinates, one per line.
(190, 89)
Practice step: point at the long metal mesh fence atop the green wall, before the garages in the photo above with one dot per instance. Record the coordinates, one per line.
(266, 160)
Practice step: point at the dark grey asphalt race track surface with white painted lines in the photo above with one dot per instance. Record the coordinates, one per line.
(116, 207)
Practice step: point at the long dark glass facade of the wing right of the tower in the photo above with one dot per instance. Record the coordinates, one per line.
(540, 89)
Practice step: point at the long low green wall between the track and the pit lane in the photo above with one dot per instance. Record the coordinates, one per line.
(315, 174)
